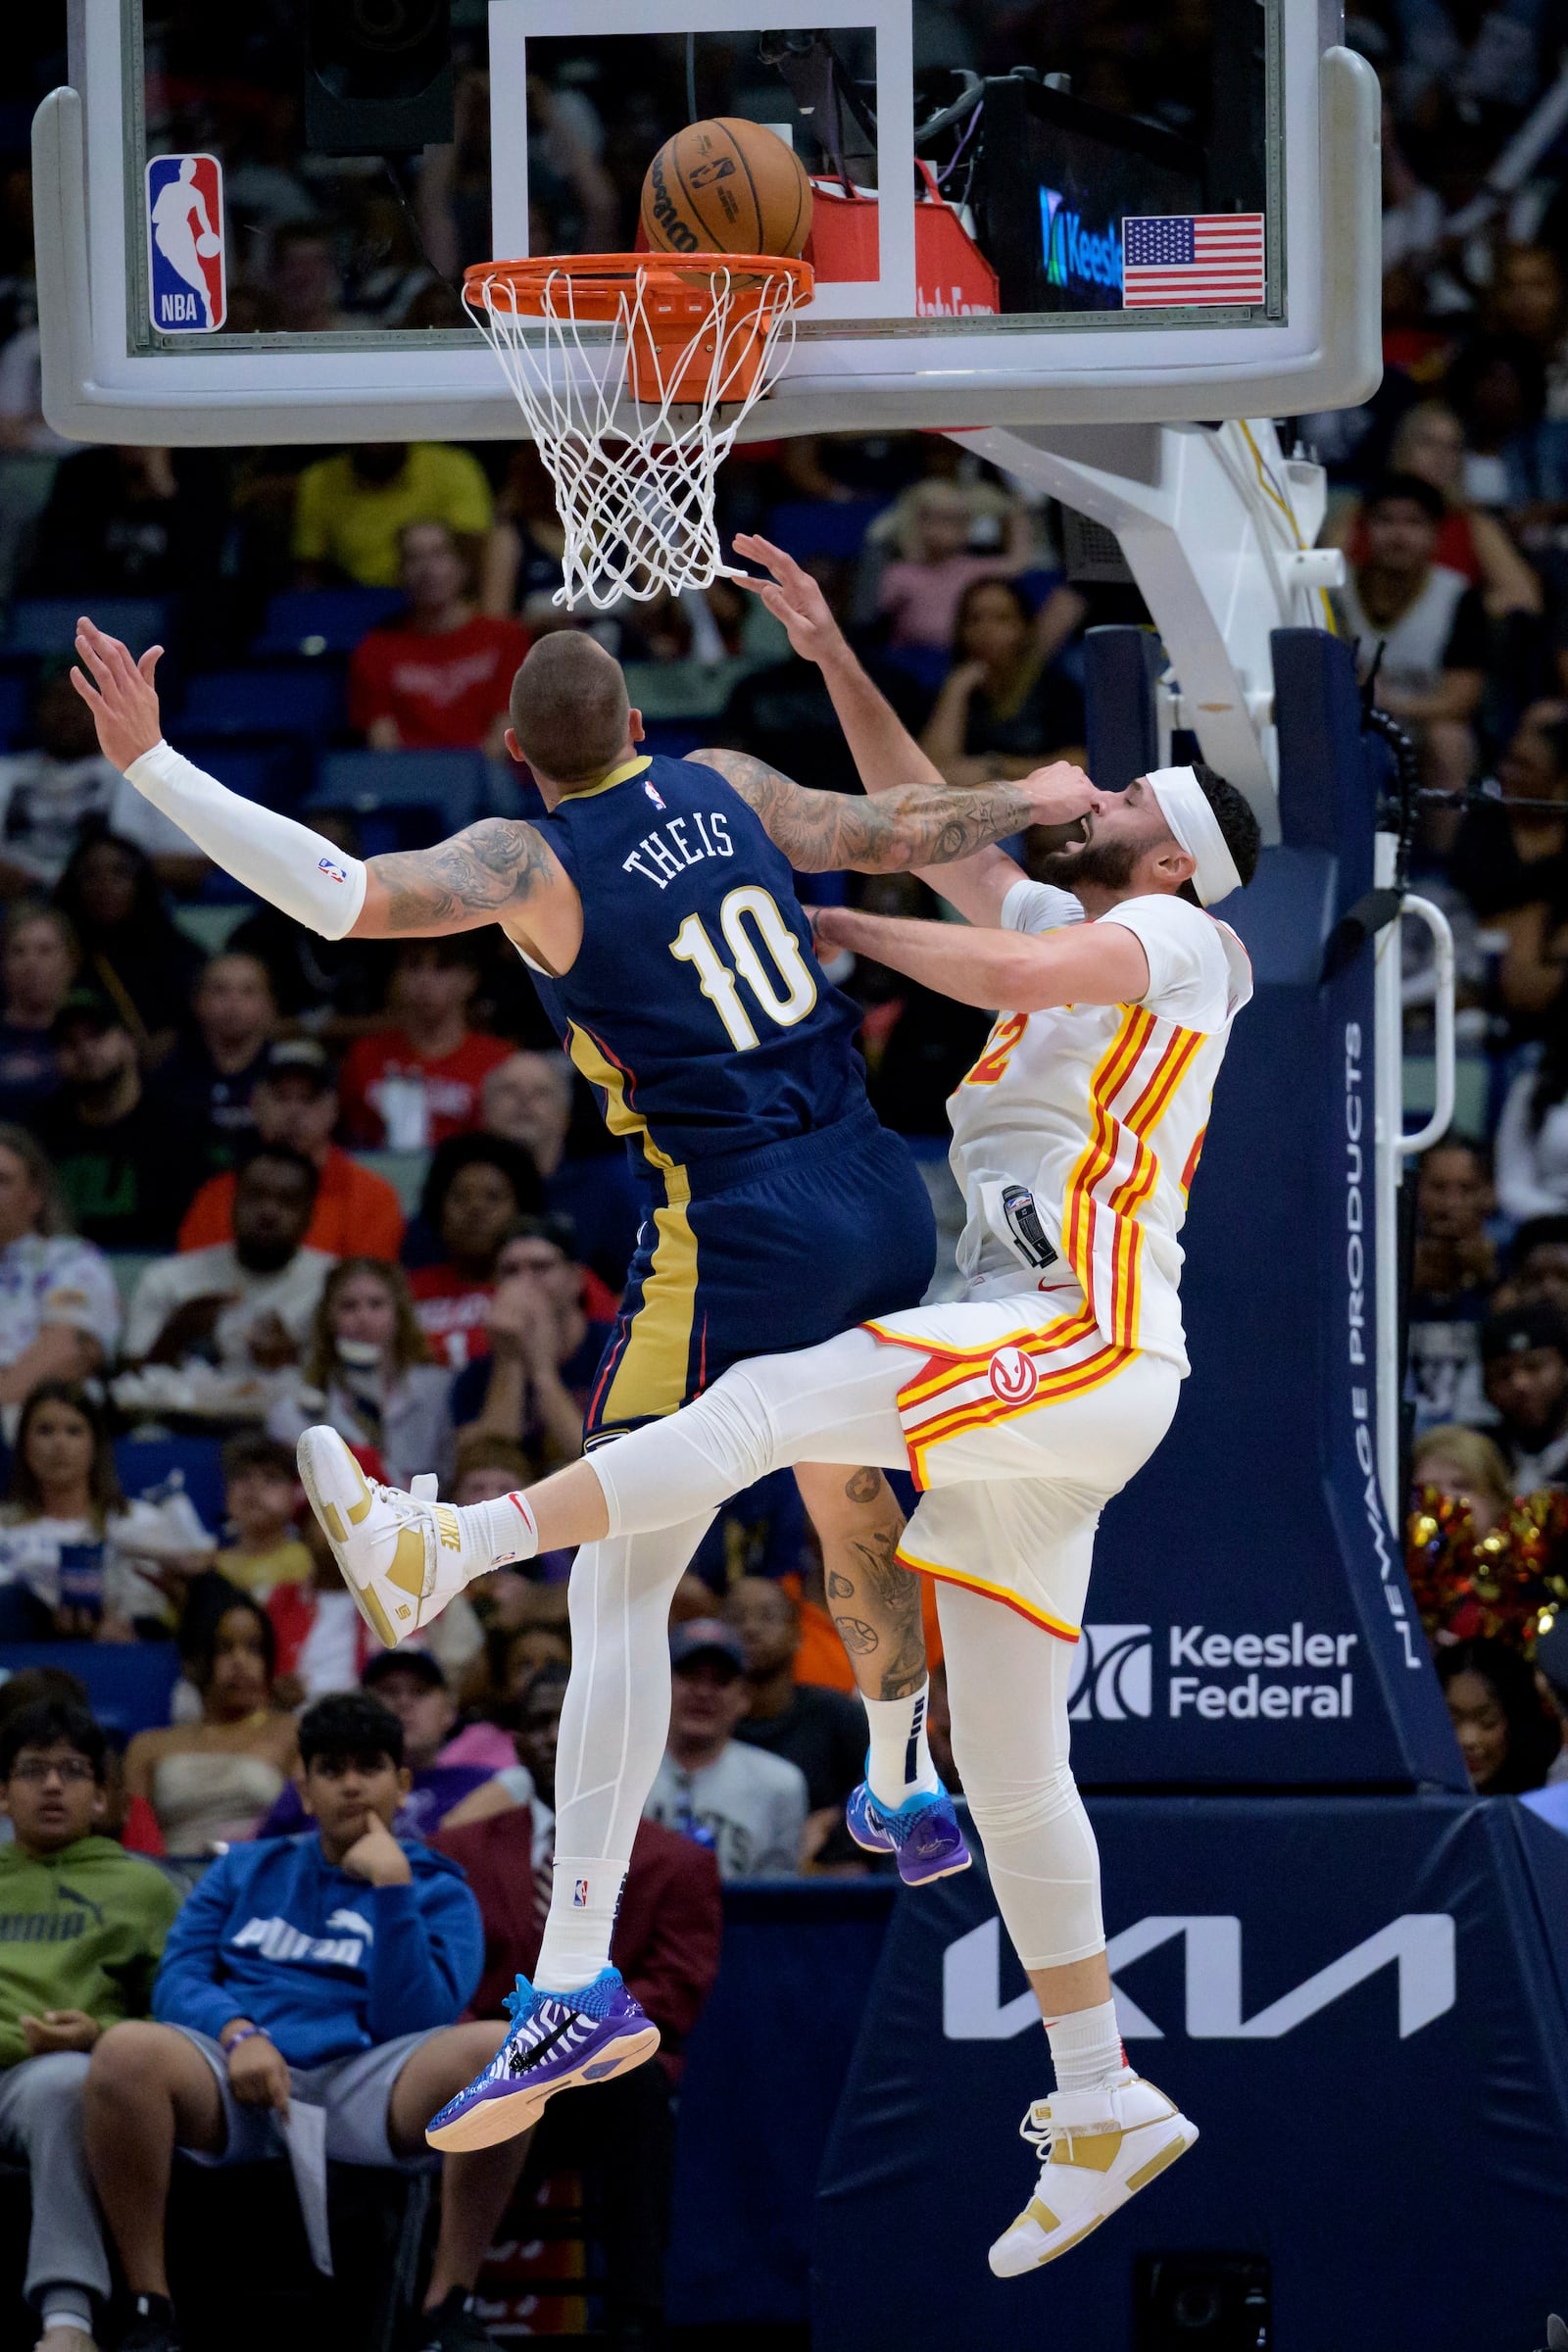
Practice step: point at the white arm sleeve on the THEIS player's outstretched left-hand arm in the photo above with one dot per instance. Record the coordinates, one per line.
(295, 869)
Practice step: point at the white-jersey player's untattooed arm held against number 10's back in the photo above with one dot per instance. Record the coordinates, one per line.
(1087, 963)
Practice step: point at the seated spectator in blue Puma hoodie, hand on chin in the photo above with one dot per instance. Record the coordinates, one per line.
(309, 1972)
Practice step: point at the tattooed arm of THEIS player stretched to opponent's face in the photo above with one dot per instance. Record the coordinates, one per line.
(918, 824)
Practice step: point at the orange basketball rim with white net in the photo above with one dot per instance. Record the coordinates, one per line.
(634, 375)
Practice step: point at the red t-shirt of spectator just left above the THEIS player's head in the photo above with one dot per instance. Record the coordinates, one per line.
(443, 690)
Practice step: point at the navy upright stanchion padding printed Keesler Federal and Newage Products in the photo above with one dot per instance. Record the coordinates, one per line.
(1249, 1617)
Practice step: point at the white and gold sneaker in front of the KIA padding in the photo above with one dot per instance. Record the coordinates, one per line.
(1099, 2151)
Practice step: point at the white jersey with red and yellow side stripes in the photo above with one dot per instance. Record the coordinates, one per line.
(1097, 1116)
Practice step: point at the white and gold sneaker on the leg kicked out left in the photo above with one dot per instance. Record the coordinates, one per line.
(403, 1556)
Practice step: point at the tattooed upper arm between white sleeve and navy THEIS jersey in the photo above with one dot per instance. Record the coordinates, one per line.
(497, 871)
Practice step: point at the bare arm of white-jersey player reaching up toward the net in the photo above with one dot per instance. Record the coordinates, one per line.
(880, 744)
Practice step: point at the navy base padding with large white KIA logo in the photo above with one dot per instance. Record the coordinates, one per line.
(1362, 2003)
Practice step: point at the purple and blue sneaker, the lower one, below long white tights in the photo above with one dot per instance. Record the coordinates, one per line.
(558, 2040)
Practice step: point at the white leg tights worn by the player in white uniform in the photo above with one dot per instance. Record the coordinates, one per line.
(1007, 1681)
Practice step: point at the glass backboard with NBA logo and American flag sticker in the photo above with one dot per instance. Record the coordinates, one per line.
(253, 222)
